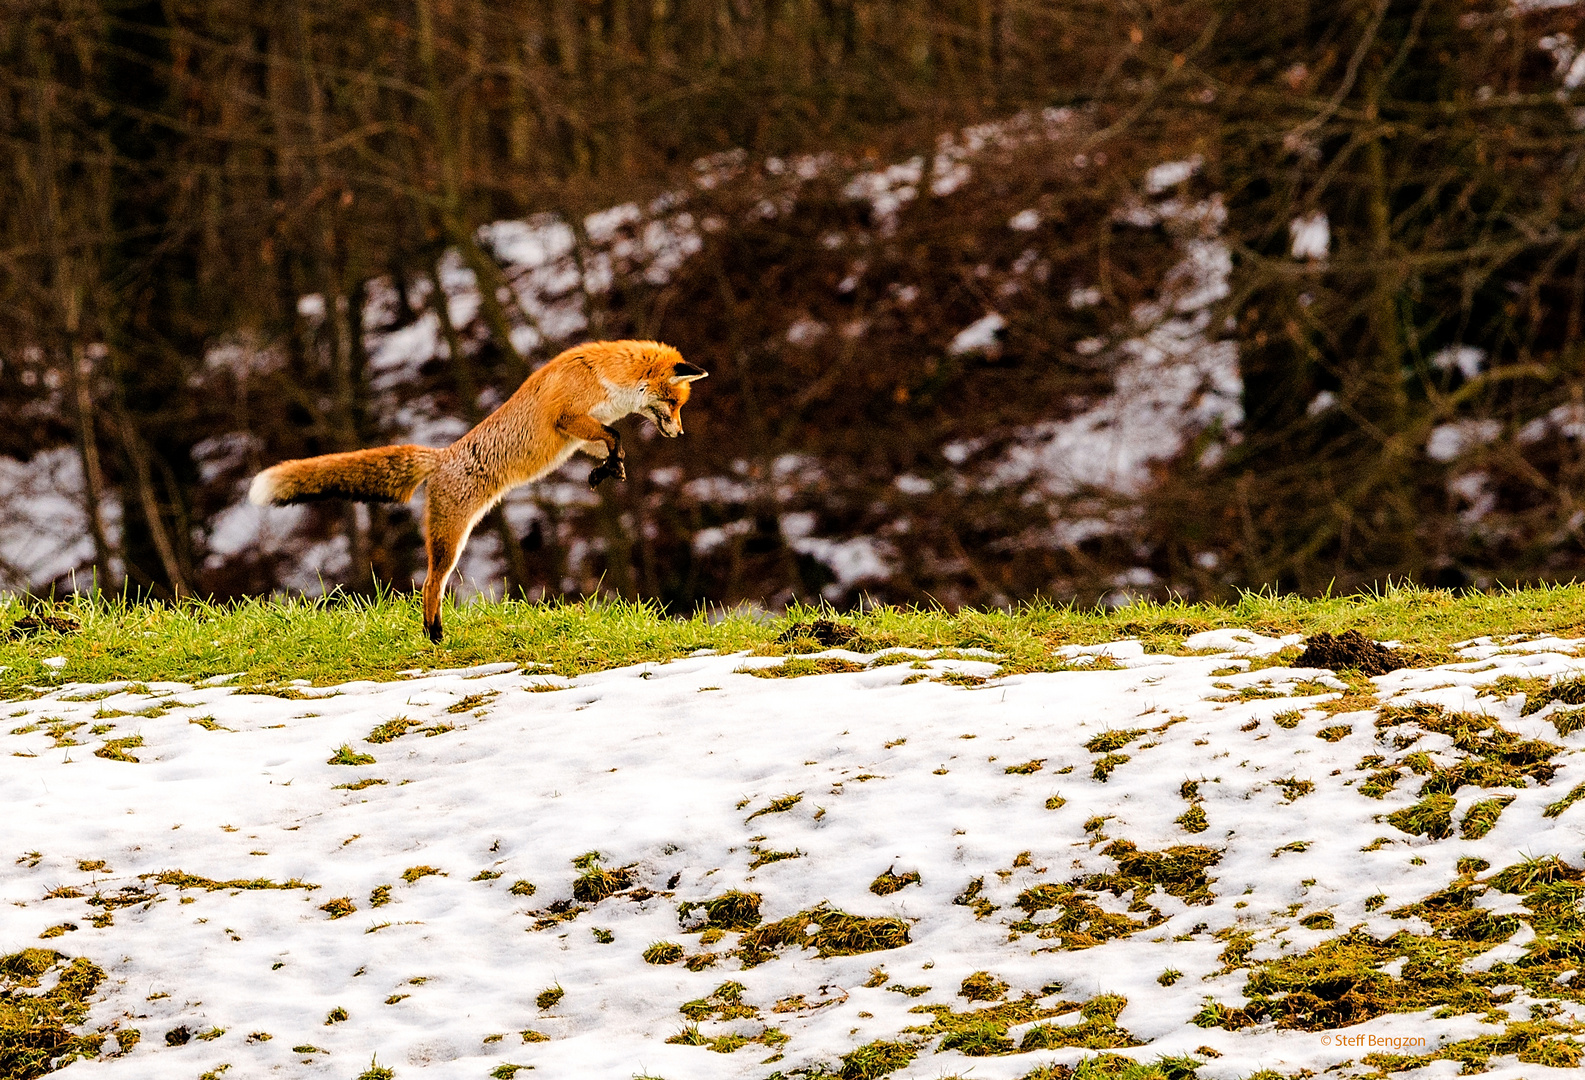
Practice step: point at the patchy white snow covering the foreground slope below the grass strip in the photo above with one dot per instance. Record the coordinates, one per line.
(662, 768)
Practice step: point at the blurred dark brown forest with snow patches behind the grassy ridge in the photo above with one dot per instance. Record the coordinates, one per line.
(1082, 299)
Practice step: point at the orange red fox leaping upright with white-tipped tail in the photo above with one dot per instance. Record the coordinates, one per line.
(565, 407)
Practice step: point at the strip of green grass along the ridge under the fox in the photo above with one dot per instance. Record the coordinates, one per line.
(330, 641)
